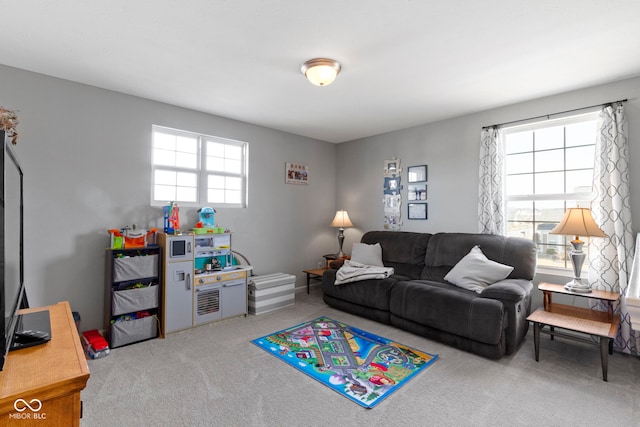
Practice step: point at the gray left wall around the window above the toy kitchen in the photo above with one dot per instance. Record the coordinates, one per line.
(87, 162)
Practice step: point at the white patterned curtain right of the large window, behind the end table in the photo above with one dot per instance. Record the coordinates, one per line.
(611, 257)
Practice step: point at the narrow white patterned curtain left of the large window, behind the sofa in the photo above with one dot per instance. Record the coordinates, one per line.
(491, 189)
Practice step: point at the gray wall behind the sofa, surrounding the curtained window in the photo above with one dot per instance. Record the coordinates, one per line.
(451, 149)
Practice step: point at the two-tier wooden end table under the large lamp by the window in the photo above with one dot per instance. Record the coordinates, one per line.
(601, 324)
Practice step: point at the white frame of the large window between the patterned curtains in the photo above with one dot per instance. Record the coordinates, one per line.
(573, 199)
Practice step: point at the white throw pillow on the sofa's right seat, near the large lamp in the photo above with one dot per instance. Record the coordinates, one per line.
(475, 271)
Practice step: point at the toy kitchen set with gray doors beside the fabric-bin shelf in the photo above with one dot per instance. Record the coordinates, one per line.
(201, 281)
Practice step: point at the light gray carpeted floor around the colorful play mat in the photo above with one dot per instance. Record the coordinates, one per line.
(214, 376)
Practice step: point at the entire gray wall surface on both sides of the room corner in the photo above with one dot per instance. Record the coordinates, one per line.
(86, 156)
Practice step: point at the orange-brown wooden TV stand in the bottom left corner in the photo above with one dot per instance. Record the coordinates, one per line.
(48, 377)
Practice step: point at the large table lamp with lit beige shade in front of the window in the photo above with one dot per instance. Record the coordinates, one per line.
(578, 222)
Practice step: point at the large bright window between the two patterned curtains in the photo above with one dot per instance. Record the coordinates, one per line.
(549, 168)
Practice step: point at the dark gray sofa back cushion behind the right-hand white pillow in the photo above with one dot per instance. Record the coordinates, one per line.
(446, 249)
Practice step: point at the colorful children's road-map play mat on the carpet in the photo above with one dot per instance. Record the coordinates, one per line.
(360, 365)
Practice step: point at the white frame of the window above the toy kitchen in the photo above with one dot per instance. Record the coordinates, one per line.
(201, 171)
